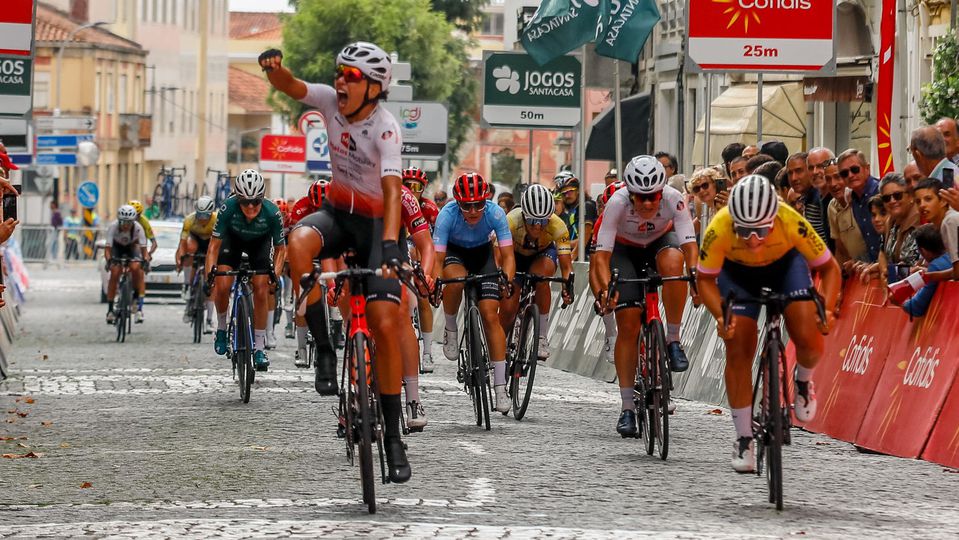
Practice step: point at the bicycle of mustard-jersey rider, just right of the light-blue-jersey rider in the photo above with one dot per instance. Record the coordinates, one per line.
(522, 342)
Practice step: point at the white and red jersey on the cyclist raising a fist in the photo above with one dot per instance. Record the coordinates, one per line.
(361, 154)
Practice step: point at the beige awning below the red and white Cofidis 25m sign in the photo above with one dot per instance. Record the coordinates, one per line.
(734, 119)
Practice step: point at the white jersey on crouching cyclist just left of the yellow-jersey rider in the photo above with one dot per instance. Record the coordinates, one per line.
(622, 225)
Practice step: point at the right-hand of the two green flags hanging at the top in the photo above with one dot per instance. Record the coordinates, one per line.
(628, 25)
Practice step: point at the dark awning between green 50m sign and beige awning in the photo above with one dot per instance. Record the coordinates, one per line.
(635, 129)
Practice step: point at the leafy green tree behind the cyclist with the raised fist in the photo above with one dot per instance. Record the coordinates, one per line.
(318, 30)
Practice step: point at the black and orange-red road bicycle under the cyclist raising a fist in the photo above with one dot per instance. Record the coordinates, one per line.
(359, 406)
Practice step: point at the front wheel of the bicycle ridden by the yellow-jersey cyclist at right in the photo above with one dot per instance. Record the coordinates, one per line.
(773, 423)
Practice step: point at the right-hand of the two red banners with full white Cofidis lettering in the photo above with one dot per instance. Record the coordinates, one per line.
(918, 374)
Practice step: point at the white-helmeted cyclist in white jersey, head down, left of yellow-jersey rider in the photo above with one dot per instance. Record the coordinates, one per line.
(645, 226)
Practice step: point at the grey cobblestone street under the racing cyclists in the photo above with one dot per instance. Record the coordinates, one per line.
(149, 439)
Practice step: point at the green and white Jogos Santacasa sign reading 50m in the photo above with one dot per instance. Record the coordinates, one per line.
(519, 93)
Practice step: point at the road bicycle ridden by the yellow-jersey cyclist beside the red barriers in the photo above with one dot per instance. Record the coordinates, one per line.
(772, 419)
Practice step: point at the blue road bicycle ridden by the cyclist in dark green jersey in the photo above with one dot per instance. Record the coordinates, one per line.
(240, 329)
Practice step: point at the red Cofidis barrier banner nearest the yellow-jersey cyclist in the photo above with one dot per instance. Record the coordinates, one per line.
(853, 359)
